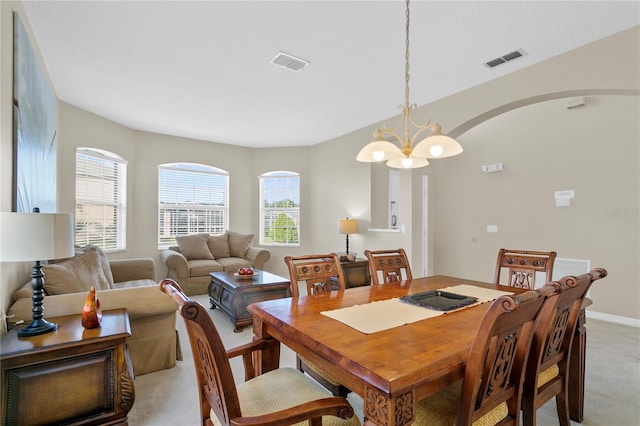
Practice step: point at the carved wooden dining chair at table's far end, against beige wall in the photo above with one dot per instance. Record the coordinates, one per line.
(521, 267)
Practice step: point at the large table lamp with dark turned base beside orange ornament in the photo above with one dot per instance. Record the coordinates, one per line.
(29, 236)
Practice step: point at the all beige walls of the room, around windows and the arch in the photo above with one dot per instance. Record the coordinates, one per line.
(462, 200)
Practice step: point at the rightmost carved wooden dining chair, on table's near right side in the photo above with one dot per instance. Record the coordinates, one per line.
(547, 374)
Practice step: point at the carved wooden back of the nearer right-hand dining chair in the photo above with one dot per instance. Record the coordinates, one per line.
(496, 366)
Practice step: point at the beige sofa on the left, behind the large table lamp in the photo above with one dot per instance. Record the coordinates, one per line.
(126, 283)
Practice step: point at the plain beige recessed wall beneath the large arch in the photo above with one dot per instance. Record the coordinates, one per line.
(592, 150)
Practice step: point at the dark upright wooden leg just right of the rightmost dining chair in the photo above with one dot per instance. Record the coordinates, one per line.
(577, 370)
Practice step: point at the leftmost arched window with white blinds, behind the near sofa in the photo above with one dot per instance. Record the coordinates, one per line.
(101, 199)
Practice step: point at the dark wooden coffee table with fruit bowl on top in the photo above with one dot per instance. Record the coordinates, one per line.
(233, 294)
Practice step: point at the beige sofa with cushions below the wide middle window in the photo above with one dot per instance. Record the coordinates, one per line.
(196, 255)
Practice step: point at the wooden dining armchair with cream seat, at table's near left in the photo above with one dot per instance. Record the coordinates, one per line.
(281, 396)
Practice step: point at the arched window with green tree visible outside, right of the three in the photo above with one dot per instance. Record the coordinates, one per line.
(280, 208)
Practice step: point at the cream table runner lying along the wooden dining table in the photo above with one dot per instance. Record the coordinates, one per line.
(385, 314)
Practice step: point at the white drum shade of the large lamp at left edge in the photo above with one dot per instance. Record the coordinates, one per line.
(35, 236)
